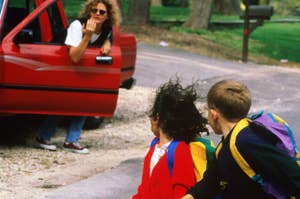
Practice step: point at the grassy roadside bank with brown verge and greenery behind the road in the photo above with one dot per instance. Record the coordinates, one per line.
(275, 42)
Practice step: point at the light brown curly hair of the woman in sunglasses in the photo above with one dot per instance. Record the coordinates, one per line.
(112, 12)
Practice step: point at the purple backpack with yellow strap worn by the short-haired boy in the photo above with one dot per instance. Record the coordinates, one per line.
(278, 127)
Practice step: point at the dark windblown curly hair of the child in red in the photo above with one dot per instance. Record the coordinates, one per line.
(174, 107)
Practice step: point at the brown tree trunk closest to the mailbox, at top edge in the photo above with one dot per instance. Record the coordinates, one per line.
(229, 7)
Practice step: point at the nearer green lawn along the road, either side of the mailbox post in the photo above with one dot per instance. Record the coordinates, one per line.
(277, 41)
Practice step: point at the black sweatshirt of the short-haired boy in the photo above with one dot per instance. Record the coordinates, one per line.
(225, 178)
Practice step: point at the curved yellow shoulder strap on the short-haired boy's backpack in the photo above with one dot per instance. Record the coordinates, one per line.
(234, 151)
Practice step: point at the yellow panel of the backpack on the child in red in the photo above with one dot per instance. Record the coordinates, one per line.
(198, 152)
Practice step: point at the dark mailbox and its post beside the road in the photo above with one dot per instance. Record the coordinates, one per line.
(253, 12)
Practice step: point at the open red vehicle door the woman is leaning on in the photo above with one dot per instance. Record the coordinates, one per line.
(39, 76)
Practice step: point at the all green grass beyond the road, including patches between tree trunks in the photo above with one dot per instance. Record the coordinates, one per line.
(274, 40)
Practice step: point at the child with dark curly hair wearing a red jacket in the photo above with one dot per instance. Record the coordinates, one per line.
(173, 117)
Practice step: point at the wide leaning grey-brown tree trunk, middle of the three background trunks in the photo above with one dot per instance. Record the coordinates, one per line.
(200, 14)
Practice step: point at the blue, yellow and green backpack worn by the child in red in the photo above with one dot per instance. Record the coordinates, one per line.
(202, 151)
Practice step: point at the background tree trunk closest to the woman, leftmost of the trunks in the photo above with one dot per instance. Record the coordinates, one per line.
(138, 11)
